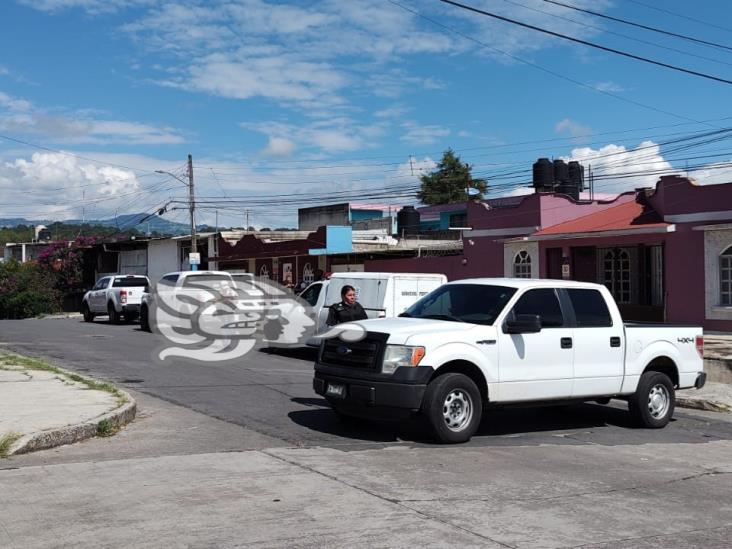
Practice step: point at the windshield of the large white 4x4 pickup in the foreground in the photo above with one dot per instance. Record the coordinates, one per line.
(474, 303)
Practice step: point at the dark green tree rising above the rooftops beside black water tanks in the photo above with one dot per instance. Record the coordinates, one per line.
(450, 182)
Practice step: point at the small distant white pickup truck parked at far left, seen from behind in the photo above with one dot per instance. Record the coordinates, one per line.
(115, 296)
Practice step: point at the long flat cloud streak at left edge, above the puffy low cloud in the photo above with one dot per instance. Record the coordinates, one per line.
(20, 116)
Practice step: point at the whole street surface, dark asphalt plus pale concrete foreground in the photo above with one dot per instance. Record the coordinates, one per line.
(245, 454)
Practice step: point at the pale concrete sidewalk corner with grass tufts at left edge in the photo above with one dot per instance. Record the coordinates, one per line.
(42, 406)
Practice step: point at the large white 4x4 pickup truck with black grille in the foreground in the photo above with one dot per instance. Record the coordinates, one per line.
(473, 344)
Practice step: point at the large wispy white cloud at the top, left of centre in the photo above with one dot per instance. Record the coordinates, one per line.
(287, 53)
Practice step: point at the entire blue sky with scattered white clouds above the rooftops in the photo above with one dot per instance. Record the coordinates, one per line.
(310, 98)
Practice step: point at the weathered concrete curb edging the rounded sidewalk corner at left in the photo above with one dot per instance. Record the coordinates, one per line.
(44, 440)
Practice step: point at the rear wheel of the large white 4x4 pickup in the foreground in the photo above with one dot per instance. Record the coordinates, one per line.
(652, 405)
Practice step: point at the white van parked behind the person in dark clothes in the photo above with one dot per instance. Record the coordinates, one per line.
(382, 295)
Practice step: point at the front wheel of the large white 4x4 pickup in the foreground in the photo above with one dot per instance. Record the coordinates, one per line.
(452, 407)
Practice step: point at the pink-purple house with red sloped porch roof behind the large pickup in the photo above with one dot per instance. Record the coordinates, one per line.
(664, 253)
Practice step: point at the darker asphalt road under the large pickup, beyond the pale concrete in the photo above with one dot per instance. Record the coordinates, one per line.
(272, 394)
